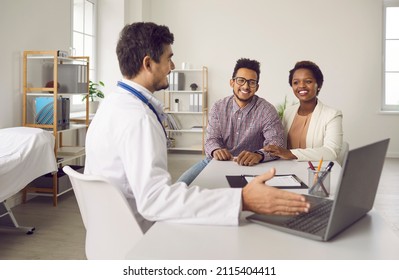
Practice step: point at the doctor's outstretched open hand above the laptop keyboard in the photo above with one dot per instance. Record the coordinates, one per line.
(263, 199)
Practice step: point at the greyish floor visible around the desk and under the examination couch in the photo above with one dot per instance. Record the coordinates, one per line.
(60, 233)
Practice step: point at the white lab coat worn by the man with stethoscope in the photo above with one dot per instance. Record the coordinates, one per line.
(126, 144)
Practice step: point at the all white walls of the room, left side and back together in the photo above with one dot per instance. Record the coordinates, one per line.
(343, 37)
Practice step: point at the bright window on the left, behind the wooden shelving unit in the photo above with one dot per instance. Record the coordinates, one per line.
(84, 38)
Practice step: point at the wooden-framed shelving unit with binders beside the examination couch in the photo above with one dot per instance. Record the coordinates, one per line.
(52, 76)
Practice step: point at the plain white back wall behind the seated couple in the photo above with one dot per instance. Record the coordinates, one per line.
(342, 37)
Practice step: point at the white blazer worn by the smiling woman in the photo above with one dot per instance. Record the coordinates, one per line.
(324, 136)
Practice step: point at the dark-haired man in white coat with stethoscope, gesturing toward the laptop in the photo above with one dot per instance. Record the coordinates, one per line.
(126, 143)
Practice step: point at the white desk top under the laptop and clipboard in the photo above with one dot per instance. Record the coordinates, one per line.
(370, 238)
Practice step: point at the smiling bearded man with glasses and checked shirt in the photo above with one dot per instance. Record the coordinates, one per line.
(240, 124)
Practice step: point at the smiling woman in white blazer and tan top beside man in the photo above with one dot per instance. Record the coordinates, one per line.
(313, 130)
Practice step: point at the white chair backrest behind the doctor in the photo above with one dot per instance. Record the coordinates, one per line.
(111, 228)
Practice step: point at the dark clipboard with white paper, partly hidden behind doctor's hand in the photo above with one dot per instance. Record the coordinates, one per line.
(239, 181)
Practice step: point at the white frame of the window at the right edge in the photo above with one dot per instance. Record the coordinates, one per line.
(384, 106)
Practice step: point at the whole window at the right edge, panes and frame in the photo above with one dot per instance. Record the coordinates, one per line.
(391, 56)
